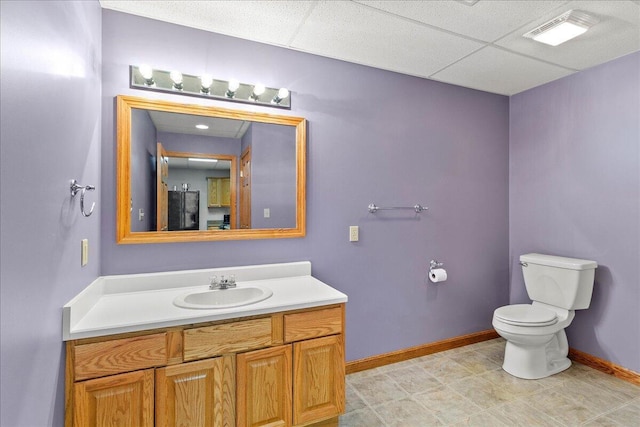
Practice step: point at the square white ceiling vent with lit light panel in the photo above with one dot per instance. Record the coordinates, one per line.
(562, 28)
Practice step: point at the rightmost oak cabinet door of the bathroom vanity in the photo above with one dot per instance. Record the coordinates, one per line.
(318, 372)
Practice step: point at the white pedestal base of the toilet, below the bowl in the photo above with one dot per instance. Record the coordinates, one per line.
(539, 360)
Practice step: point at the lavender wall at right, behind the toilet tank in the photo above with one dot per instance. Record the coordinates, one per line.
(574, 191)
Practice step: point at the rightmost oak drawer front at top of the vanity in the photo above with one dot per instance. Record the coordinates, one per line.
(312, 324)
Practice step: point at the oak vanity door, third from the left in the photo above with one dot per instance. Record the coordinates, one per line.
(264, 387)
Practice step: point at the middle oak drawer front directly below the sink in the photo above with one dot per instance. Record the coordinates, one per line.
(235, 337)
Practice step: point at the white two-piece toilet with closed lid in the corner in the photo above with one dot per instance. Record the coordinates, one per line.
(537, 345)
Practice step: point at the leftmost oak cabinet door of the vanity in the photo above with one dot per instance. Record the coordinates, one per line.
(124, 400)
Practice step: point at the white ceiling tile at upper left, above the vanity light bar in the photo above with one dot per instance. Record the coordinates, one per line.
(273, 22)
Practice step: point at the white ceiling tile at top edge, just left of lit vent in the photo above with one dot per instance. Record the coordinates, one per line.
(486, 20)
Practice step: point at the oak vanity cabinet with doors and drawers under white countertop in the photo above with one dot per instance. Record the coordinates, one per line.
(282, 369)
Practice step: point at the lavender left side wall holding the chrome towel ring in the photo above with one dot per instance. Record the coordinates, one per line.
(50, 133)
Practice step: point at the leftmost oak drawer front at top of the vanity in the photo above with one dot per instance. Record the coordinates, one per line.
(116, 356)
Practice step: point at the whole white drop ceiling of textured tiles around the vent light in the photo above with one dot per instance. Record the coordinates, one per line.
(444, 40)
